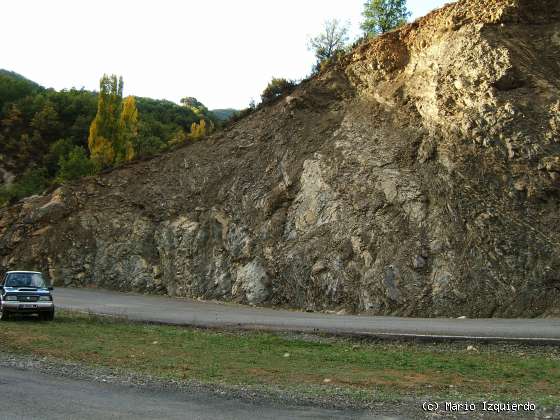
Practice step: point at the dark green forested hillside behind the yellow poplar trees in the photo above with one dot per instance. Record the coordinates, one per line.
(44, 132)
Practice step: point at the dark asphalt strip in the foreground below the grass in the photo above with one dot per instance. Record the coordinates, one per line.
(30, 395)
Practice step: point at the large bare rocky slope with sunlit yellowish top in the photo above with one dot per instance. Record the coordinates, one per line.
(418, 177)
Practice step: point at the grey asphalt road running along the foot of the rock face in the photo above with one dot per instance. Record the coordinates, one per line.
(206, 314)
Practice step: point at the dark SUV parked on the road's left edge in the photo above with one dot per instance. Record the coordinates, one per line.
(25, 292)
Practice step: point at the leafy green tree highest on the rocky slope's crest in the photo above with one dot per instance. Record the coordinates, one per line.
(381, 16)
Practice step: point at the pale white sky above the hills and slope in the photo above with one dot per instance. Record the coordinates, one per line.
(222, 52)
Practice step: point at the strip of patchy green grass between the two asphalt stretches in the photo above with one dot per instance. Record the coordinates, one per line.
(364, 371)
